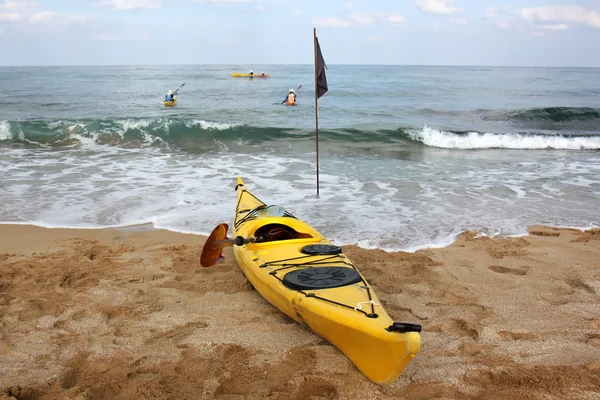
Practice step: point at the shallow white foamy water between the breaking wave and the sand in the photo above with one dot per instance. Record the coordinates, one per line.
(369, 201)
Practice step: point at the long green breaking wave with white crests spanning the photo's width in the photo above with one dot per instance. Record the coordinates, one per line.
(199, 135)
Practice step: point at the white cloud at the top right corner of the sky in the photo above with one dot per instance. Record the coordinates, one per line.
(557, 17)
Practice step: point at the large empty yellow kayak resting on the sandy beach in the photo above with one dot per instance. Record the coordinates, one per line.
(308, 278)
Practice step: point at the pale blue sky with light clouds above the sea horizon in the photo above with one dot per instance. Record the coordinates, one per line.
(250, 32)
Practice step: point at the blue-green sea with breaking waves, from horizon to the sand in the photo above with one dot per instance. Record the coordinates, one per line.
(409, 157)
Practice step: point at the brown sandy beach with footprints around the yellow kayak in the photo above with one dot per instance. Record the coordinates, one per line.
(131, 314)
